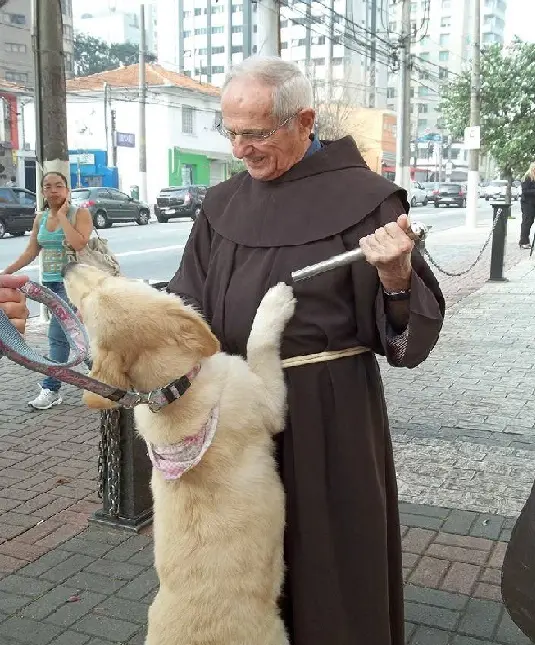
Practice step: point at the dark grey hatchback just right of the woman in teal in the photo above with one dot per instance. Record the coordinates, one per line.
(109, 206)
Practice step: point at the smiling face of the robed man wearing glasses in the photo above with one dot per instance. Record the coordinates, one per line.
(247, 113)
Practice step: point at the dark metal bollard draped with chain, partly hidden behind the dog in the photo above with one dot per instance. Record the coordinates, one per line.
(124, 469)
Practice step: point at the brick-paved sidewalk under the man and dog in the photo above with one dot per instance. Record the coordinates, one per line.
(464, 436)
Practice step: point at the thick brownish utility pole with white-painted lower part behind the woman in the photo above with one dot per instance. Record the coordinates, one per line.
(51, 148)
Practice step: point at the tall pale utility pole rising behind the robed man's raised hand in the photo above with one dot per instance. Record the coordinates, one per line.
(403, 150)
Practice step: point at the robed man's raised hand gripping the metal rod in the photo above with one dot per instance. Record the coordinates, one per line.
(389, 250)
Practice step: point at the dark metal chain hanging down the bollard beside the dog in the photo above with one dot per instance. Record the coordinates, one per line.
(109, 461)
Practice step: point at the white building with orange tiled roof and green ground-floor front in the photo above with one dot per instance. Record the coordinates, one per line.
(183, 145)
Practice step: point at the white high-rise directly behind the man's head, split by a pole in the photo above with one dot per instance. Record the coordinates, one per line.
(330, 39)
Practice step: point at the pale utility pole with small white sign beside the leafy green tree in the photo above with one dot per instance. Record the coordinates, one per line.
(475, 118)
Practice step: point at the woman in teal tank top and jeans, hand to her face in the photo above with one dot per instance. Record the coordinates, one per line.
(58, 223)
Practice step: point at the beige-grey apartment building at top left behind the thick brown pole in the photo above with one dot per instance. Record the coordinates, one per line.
(16, 58)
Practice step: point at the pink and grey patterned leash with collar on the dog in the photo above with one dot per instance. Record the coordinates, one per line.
(15, 348)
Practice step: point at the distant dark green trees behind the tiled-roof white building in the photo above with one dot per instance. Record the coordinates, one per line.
(93, 55)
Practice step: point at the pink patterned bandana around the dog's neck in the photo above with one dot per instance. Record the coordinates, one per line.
(176, 459)
